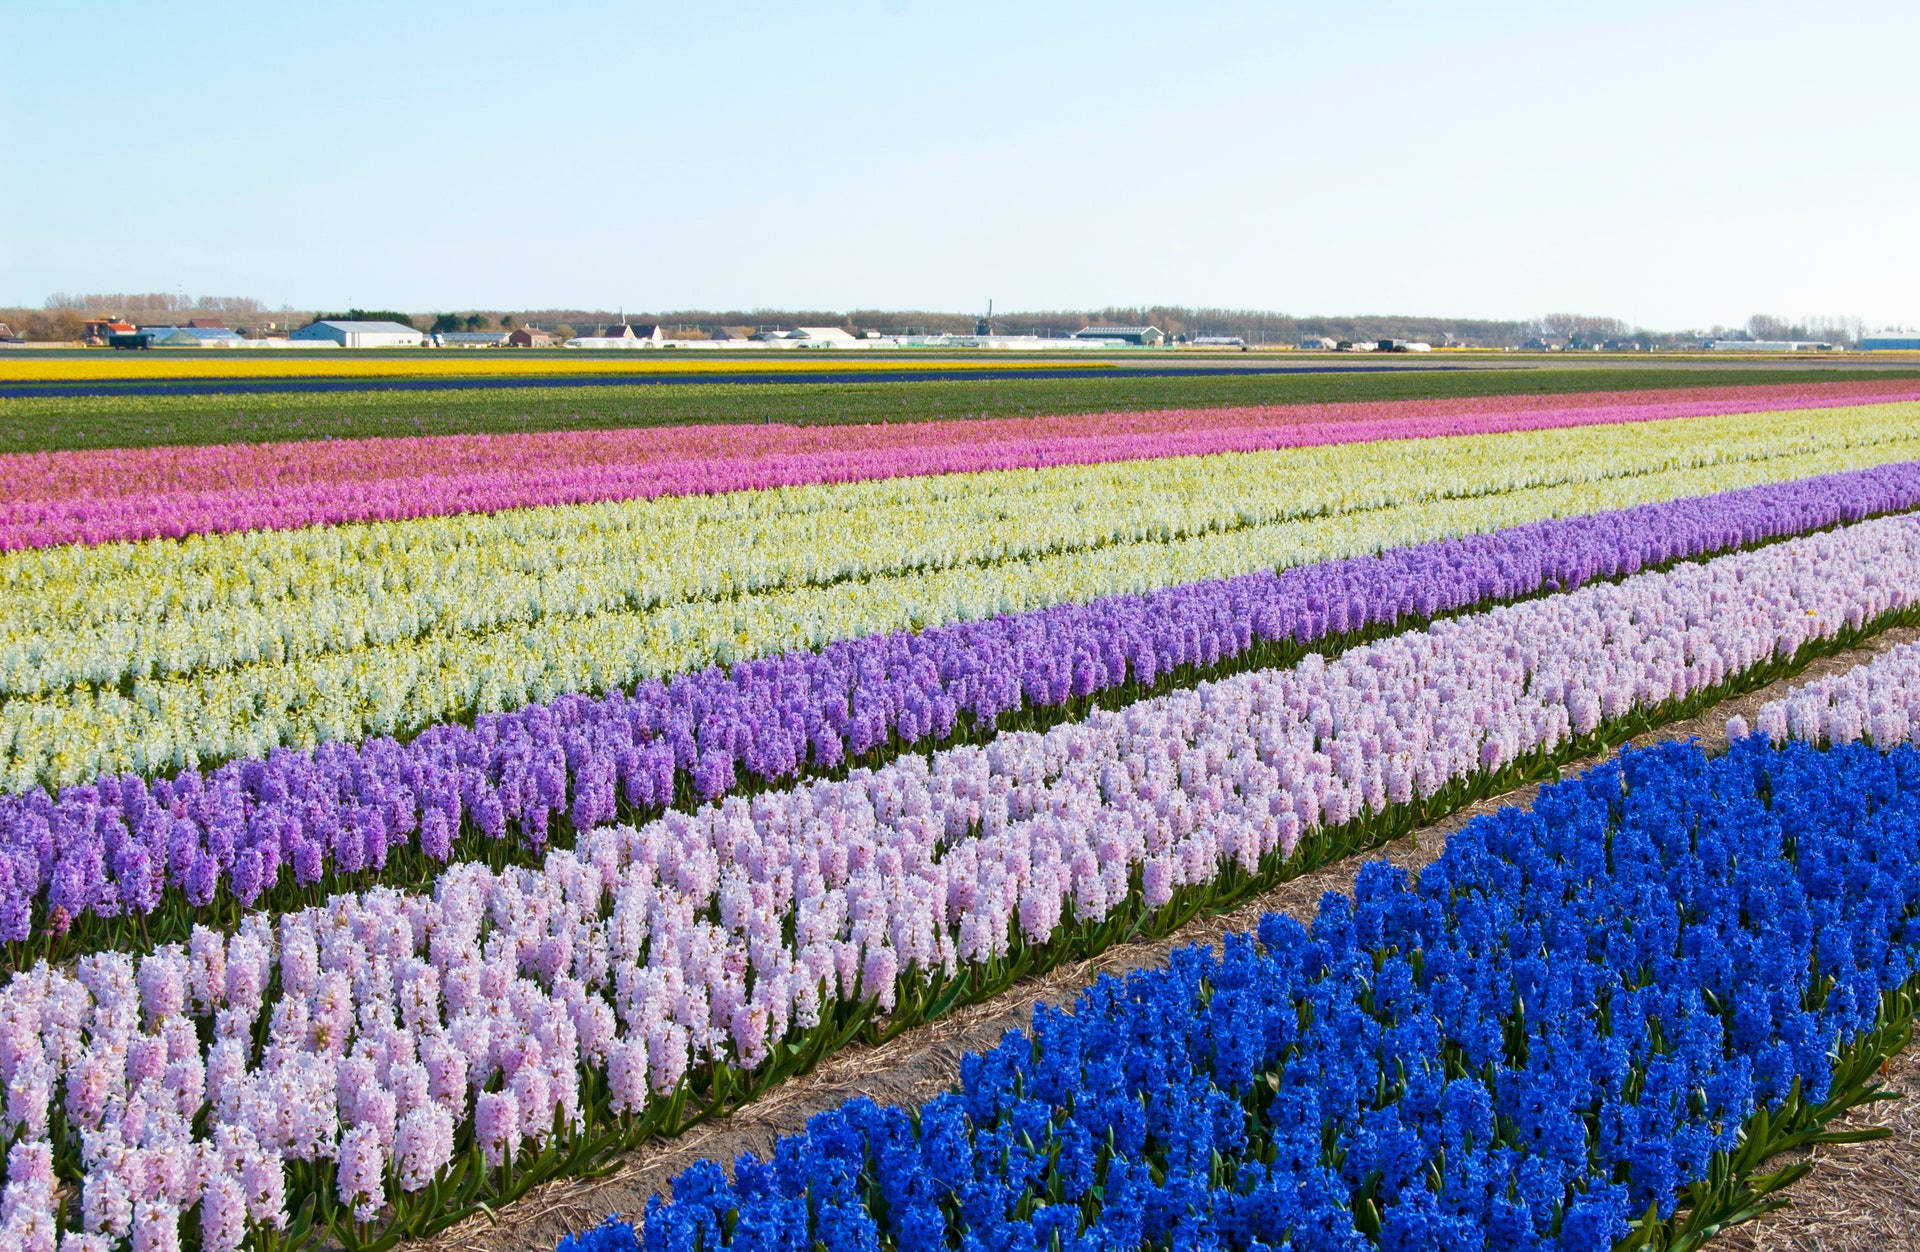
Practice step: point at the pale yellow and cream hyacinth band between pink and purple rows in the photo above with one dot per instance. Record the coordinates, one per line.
(162, 654)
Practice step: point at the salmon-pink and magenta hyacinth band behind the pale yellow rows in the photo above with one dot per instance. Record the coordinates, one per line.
(130, 494)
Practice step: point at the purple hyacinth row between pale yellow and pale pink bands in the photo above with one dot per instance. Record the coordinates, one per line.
(118, 846)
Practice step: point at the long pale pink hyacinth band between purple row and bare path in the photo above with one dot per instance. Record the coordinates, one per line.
(648, 951)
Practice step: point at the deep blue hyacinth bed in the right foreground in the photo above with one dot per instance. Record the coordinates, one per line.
(1585, 1028)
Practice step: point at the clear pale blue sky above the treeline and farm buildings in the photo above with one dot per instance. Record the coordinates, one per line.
(1669, 164)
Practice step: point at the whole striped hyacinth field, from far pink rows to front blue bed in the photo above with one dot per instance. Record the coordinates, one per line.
(389, 829)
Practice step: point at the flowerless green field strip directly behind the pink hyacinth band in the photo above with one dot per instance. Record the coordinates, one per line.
(145, 421)
